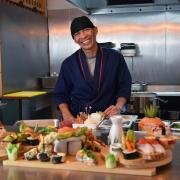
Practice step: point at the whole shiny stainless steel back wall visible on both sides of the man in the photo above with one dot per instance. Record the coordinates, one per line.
(156, 34)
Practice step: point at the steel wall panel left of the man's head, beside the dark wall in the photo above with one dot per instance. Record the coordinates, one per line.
(61, 43)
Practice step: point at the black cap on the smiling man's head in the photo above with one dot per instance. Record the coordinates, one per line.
(80, 23)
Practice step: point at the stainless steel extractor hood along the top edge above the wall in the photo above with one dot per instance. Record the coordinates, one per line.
(118, 6)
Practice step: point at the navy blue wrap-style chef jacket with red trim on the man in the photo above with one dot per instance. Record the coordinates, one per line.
(75, 86)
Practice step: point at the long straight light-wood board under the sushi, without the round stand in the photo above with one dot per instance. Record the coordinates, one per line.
(72, 164)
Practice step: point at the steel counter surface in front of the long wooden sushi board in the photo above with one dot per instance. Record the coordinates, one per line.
(167, 172)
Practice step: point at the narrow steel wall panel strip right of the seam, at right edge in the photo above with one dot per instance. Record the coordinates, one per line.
(172, 60)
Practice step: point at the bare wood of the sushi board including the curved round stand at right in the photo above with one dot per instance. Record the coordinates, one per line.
(137, 166)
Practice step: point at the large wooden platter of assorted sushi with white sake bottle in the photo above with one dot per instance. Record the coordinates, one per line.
(78, 149)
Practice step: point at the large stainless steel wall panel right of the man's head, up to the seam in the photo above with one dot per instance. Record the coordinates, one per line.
(147, 32)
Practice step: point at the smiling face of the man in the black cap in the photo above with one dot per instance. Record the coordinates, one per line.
(86, 38)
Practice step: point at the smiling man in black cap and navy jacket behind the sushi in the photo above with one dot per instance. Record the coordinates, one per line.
(93, 78)
